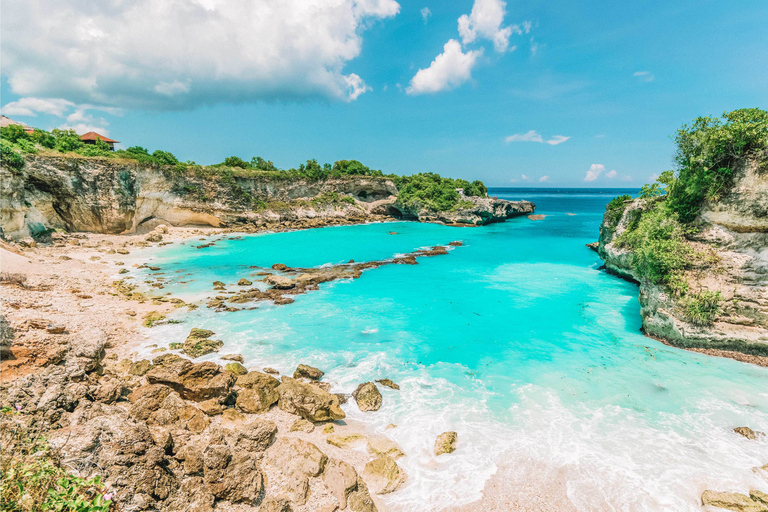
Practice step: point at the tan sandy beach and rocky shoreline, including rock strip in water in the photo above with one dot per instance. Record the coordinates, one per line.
(172, 434)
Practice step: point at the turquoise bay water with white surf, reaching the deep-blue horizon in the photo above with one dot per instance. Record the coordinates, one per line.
(516, 340)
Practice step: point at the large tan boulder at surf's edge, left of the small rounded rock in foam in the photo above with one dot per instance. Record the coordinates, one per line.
(307, 401)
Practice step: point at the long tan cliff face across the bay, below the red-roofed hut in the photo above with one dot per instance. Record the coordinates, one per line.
(114, 196)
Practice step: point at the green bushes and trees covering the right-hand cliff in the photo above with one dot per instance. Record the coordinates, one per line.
(707, 152)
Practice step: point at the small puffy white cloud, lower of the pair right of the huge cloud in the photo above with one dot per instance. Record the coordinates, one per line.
(449, 70)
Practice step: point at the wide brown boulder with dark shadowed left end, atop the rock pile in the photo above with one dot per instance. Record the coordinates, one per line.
(194, 381)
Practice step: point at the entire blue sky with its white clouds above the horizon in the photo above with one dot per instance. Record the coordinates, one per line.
(615, 79)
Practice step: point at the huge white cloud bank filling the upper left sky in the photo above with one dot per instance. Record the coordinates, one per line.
(169, 54)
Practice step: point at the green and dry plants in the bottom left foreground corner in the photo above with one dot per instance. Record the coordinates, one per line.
(33, 478)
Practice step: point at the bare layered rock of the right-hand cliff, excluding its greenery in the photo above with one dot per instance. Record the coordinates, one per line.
(733, 234)
